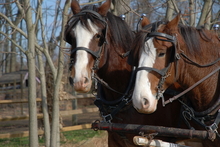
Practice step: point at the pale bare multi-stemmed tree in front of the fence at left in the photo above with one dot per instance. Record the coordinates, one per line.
(32, 44)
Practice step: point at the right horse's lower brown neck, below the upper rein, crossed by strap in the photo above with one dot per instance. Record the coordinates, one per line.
(205, 94)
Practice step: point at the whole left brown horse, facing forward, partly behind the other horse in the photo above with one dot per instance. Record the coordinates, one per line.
(100, 44)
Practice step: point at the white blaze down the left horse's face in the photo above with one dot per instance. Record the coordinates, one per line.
(83, 38)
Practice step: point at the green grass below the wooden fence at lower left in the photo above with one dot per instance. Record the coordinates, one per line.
(72, 137)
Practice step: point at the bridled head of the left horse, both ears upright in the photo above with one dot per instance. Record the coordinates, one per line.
(86, 32)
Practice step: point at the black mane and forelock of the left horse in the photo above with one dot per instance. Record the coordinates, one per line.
(116, 26)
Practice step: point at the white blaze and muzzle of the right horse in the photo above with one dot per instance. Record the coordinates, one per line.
(142, 90)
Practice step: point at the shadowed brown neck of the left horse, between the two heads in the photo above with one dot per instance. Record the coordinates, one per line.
(116, 73)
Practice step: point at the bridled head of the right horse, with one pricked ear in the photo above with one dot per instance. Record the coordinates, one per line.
(153, 53)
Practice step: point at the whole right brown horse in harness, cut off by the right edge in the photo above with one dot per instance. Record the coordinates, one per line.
(169, 53)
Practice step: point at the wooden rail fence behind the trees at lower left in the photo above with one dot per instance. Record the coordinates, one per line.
(40, 116)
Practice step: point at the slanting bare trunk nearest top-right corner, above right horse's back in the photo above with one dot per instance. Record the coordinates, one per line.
(205, 18)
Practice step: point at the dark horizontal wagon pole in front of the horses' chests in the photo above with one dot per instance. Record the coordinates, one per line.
(162, 131)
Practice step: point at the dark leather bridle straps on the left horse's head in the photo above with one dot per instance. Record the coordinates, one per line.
(96, 54)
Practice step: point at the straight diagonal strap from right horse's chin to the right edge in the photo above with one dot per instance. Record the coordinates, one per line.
(191, 87)
